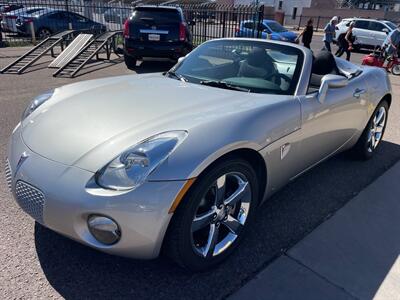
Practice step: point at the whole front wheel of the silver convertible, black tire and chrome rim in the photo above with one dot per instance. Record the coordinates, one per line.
(211, 220)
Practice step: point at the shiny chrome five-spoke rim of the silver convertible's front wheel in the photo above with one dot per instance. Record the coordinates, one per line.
(221, 214)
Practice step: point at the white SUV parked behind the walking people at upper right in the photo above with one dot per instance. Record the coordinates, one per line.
(369, 33)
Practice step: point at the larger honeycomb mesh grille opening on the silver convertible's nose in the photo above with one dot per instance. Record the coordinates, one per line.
(30, 199)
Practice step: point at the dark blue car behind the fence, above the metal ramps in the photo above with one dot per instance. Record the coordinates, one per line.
(49, 21)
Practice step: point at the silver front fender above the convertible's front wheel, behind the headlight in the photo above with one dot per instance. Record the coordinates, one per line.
(207, 142)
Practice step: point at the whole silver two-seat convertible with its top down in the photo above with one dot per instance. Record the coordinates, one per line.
(179, 162)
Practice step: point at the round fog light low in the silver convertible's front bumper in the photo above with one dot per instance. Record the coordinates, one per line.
(104, 229)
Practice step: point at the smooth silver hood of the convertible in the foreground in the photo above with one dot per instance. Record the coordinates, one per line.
(116, 113)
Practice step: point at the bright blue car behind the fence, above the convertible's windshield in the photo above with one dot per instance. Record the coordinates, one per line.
(268, 29)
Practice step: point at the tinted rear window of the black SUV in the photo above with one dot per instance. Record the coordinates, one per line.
(156, 16)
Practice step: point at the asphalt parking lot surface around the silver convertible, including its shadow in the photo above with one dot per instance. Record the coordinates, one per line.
(38, 263)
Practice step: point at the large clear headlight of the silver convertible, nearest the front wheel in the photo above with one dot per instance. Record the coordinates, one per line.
(130, 169)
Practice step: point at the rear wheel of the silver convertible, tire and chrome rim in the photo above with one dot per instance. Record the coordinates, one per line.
(372, 135)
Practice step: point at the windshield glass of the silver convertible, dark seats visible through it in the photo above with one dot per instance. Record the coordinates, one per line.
(256, 68)
